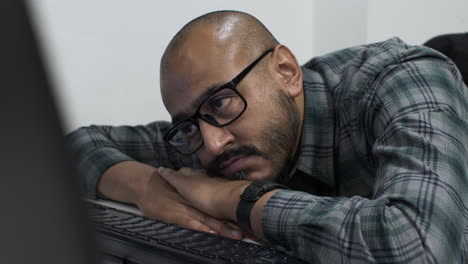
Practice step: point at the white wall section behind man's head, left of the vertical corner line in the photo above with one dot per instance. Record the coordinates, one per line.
(104, 54)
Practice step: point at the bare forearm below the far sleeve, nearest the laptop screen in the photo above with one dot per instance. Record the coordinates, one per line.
(125, 181)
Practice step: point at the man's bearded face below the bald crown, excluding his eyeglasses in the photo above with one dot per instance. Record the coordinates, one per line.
(260, 142)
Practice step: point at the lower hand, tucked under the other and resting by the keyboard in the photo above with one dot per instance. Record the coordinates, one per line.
(161, 201)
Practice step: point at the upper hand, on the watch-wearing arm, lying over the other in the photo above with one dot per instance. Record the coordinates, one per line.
(214, 196)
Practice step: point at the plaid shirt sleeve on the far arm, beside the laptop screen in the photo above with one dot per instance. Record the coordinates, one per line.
(97, 148)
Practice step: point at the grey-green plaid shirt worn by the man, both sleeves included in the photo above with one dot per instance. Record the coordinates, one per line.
(383, 163)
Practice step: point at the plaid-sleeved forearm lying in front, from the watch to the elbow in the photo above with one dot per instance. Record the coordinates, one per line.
(337, 230)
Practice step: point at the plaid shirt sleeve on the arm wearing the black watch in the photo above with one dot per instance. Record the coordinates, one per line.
(418, 210)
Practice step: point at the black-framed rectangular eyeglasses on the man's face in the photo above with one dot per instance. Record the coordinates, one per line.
(221, 108)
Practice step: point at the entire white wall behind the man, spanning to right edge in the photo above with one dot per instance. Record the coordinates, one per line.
(104, 54)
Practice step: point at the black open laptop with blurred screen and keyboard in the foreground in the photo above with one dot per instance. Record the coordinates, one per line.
(43, 218)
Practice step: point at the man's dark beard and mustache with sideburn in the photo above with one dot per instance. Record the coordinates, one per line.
(267, 156)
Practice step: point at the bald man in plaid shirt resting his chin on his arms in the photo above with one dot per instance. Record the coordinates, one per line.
(370, 143)
